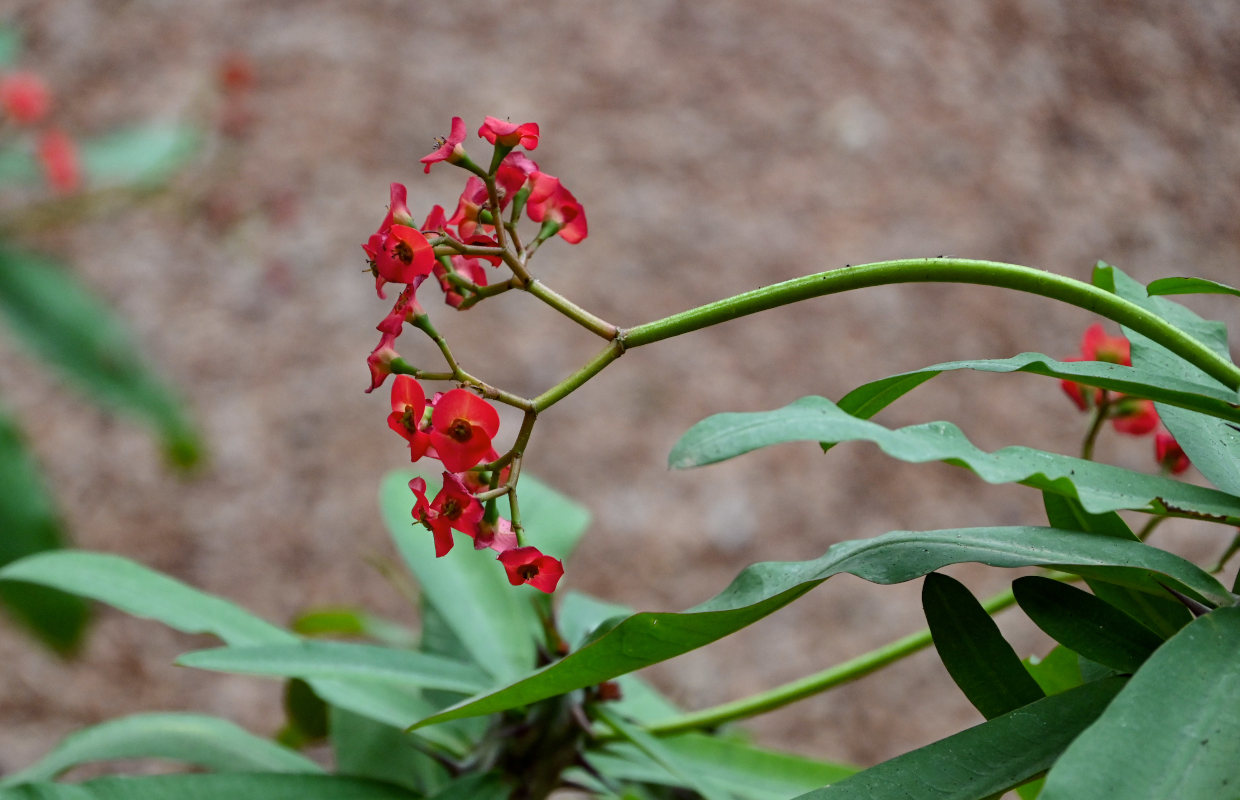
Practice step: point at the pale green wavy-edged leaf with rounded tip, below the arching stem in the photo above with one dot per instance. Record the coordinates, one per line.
(1099, 488)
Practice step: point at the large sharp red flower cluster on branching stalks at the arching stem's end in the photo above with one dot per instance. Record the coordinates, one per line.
(458, 427)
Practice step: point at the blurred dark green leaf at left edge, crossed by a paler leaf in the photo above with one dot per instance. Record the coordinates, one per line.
(29, 524)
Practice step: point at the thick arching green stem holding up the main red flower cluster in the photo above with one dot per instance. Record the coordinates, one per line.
(943, 271)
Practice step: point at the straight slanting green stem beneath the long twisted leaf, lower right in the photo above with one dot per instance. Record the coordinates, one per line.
(812, 685)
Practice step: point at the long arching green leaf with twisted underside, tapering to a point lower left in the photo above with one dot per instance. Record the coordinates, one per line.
(648, 638)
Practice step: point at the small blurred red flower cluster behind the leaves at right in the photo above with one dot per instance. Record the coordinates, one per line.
(1134, 416)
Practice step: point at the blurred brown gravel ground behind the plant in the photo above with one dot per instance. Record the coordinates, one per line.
(717, 147)
